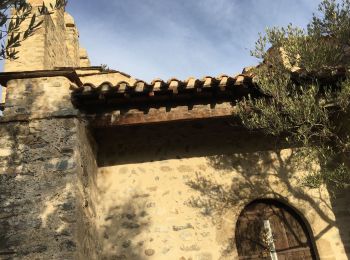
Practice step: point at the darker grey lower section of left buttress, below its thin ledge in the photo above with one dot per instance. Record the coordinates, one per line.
(44, 187)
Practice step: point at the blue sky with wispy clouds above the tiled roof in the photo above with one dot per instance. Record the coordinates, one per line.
(180, 38)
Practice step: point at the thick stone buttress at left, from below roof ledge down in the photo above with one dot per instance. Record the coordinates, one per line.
(47, 174)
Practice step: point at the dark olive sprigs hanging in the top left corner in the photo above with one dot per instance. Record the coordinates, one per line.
(18, 21)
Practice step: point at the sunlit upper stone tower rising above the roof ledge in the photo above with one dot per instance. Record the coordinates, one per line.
(55, 44)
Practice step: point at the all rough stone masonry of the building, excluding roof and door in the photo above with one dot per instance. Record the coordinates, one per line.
(157, 191)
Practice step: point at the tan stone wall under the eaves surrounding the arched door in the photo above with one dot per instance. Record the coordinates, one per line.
(175, 191)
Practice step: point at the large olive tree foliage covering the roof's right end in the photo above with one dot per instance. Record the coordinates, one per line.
(304, 77)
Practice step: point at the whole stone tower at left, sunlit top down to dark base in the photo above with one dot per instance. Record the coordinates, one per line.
(43, 198)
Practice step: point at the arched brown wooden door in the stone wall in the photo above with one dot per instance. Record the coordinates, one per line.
(268, 229)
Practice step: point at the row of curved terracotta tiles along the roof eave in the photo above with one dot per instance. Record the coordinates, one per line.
(159, 93)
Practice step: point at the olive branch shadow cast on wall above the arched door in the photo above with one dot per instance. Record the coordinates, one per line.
(259, 175)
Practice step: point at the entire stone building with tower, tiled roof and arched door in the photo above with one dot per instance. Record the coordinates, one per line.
(95, 164)
